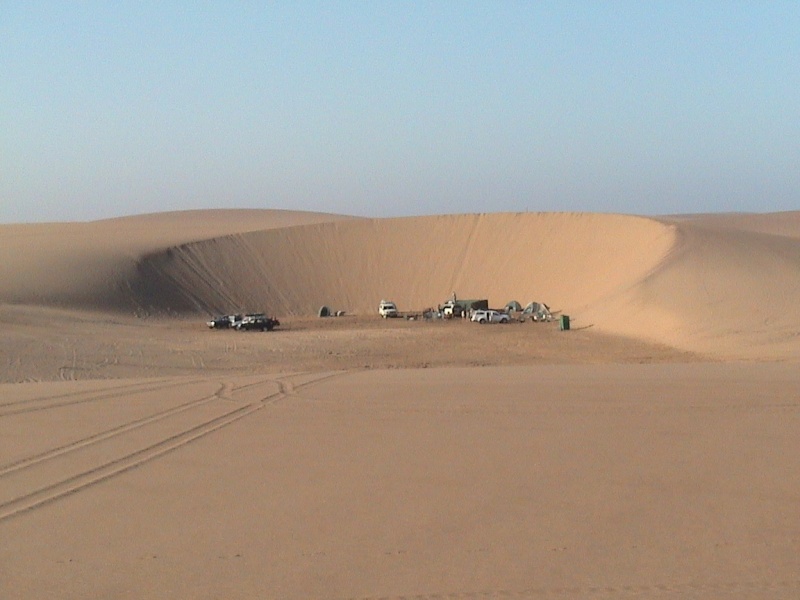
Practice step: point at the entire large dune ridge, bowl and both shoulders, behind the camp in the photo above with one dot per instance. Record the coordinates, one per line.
(722, 285)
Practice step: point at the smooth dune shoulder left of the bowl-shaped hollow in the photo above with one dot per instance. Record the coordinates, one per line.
(96, 265)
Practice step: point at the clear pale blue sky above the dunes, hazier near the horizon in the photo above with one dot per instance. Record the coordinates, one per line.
(398, 108)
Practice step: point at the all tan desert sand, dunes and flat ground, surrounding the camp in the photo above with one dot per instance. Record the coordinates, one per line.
(649, 452)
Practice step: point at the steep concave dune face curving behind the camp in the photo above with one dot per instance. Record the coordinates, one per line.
(568, 259)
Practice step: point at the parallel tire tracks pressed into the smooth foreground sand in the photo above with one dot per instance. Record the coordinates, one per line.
(52, 492)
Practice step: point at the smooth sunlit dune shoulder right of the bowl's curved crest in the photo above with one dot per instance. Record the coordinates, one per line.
(729, 288)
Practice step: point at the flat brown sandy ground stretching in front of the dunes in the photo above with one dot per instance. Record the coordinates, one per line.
(188, 463)
